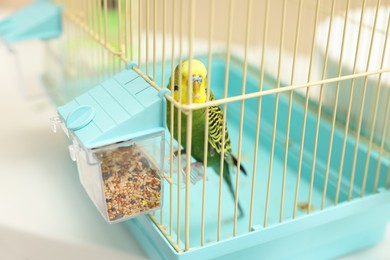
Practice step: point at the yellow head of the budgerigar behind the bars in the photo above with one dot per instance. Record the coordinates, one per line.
(198, 77)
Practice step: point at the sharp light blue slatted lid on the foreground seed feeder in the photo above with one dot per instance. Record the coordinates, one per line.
(119, 109)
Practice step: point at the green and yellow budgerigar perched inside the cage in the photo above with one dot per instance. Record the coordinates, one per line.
(215, 116)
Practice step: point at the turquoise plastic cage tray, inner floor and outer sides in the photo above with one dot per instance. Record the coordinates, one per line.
(323, 234)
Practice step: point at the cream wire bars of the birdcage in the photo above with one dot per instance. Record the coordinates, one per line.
(89, 13)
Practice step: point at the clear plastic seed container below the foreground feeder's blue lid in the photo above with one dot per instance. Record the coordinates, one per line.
(124, 179)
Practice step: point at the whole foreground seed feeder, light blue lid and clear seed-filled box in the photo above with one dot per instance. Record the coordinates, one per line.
(117, 132)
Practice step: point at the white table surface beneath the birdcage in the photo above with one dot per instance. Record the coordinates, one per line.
(44, 211)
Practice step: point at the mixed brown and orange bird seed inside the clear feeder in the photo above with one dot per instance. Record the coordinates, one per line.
(132, 185)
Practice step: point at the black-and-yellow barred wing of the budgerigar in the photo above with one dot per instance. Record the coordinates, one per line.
(216, 130)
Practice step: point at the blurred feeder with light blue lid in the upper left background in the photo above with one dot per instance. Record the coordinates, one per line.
(40, 20)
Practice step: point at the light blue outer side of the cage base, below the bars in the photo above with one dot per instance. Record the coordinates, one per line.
(333, 232)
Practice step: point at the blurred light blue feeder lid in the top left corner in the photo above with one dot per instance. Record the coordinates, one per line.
(39, 20)
